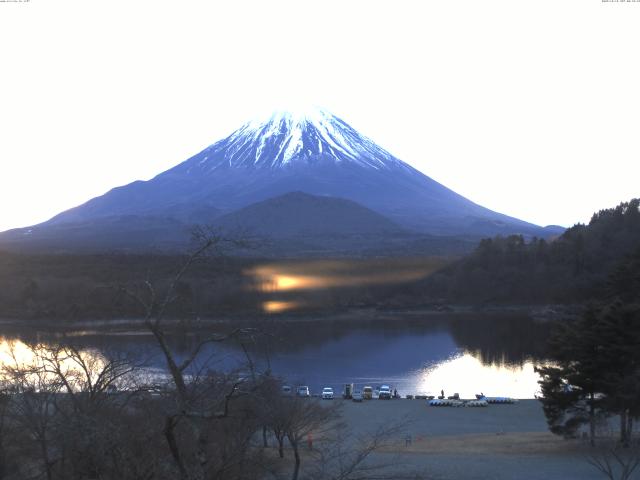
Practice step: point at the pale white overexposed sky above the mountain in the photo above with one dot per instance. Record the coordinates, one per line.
(530, 108)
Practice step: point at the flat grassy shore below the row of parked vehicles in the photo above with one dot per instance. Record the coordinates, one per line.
(496, 442)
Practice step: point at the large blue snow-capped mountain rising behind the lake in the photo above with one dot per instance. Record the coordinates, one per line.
(314, 154)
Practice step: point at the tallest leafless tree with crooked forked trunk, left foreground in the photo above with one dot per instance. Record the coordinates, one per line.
(187, 427)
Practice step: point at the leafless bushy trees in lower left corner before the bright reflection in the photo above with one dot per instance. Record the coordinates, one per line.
(67, 421)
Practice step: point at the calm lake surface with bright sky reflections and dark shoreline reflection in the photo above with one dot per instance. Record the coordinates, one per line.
(466, 354)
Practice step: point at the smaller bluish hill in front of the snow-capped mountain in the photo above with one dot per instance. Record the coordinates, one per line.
(301, 225)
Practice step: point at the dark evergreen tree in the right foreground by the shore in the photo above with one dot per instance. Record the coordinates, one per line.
(594, 375)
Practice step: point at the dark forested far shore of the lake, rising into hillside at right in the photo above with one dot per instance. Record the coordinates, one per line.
(573, 268)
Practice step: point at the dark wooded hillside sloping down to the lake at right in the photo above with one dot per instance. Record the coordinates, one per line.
(572, 268)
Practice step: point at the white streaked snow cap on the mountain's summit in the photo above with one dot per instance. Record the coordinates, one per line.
(287, 139)
